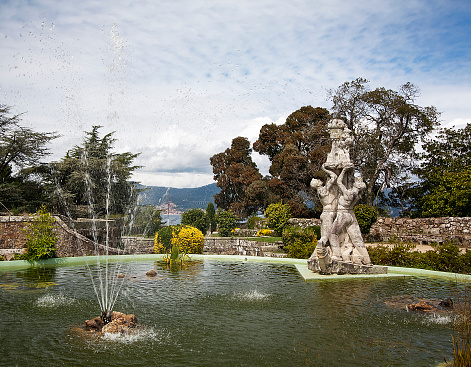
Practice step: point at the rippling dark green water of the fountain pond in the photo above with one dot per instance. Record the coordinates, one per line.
(220, 313)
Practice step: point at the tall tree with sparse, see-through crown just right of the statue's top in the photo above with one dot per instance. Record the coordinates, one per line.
(386, 125)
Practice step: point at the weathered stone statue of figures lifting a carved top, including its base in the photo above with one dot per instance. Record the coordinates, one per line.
(341, 248)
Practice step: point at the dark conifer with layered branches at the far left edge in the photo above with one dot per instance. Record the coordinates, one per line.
(21, 149)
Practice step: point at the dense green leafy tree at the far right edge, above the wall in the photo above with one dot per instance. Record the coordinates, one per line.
(444, 186)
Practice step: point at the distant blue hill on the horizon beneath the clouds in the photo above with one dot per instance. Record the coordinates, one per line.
(184, 199)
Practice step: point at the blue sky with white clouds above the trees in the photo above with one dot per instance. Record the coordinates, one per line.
(177, 80)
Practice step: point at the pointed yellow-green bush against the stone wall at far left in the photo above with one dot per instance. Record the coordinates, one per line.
(40, 237)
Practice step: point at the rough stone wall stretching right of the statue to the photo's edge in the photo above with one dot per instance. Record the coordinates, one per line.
(422, 230)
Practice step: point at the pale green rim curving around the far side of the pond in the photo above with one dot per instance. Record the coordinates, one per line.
(300, 264)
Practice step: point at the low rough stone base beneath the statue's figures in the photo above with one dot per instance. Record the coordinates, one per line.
(342, 267)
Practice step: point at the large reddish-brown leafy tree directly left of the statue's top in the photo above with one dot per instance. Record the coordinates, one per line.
(296, 151)
